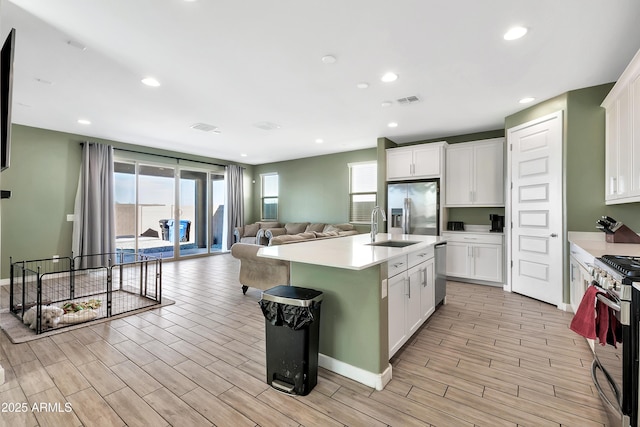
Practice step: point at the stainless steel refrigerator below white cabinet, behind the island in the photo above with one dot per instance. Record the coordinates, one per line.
(413, 207)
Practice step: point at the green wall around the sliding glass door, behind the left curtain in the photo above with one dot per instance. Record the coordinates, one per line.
(43, 179)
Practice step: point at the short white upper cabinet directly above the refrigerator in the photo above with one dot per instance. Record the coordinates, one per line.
(415, 161)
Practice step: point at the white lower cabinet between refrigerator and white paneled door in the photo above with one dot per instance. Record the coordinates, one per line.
(475, 256)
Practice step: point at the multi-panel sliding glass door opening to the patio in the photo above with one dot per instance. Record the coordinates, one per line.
(168, 211)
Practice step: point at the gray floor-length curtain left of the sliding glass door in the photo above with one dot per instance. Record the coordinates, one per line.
(94, 213)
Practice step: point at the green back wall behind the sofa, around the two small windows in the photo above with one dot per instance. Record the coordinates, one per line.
(313, 189)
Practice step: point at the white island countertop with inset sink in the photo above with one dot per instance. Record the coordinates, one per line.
(350, 252)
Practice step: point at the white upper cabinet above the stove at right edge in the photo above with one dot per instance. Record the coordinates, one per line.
(622, 137)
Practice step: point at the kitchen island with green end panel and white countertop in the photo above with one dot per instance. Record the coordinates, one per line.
(354, 277)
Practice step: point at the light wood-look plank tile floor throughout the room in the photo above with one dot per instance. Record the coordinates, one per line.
(486, 358)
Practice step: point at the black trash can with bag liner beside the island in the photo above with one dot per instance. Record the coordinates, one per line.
(292, 320)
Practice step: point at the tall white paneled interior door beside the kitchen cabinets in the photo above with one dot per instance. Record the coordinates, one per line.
(536, 208)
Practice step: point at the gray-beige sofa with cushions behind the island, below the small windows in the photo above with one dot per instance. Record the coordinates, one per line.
(294, 232)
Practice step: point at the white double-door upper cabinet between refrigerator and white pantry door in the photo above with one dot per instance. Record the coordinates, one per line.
(475, 173)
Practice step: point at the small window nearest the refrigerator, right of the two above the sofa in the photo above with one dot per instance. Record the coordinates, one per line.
(363, 190)
